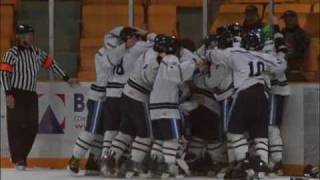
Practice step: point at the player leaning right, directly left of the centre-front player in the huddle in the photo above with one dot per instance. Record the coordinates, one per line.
(134, 120)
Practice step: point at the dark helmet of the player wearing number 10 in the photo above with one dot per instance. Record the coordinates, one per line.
(252, 41)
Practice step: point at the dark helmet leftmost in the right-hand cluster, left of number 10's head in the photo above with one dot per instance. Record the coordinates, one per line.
(224, 37)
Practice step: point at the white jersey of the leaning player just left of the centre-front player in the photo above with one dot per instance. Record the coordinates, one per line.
(142, 78)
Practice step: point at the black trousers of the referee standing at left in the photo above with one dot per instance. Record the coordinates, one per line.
(22, 124)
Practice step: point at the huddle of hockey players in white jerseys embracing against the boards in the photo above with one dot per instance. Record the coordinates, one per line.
(160, 110)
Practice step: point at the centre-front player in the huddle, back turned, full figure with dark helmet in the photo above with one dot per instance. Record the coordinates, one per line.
(164, 108)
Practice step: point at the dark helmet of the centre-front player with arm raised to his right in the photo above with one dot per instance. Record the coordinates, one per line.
(166, 44)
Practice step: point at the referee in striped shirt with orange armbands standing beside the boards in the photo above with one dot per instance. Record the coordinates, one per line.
(18, 75)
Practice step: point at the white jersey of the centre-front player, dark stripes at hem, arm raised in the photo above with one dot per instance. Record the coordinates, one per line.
(172, 73)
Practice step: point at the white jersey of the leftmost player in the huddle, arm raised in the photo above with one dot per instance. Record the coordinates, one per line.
(103, 69)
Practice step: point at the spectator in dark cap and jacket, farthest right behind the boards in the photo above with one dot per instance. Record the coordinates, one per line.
(298, 42)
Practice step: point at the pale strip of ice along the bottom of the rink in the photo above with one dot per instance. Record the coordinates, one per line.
(48, 174)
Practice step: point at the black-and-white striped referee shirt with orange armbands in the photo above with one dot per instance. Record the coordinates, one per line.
(20, 66)
